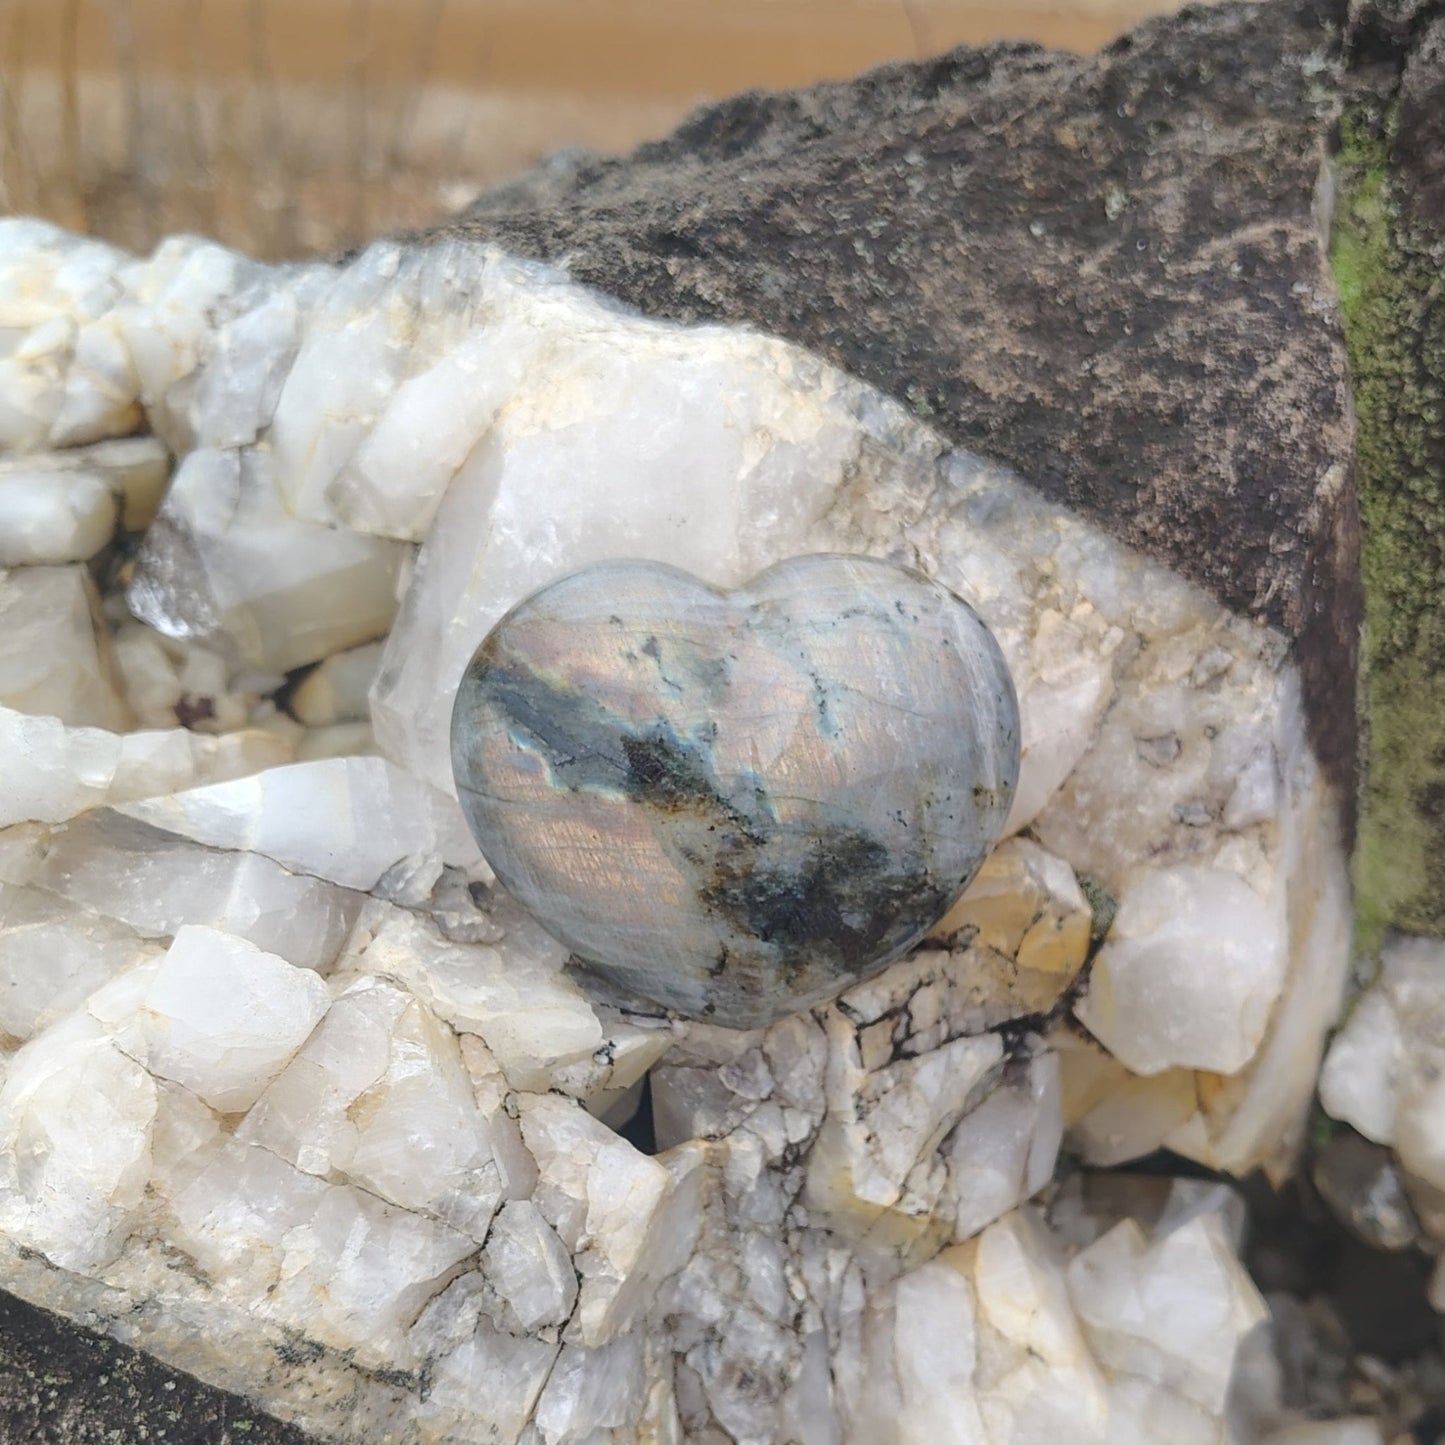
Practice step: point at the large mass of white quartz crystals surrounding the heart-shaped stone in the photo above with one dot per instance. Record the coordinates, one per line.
(297, 1097)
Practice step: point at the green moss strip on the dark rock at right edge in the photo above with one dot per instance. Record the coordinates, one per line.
(1394, 301)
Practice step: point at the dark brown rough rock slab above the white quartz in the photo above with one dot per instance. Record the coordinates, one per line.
(1109, 272)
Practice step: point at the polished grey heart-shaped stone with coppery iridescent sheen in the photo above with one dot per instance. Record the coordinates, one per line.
(738, 804)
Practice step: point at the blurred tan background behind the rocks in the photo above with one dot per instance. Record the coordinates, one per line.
(293, 126)
